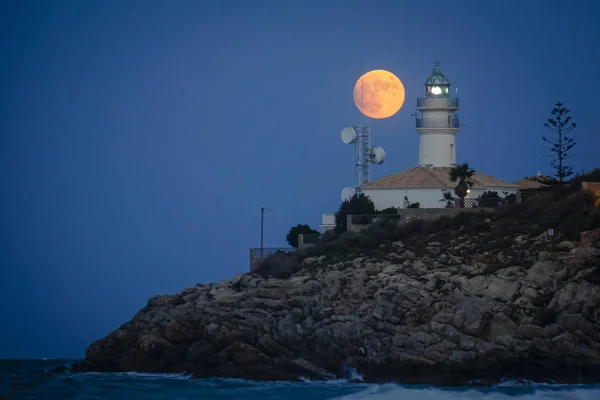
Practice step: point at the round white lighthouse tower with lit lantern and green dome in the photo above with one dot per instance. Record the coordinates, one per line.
(437, 121)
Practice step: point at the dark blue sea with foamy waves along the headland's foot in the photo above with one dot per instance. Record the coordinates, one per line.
(31, 379)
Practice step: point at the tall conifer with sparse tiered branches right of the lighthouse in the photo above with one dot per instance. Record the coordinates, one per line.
(560, 124)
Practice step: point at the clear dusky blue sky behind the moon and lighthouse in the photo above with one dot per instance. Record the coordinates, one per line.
(139, 138)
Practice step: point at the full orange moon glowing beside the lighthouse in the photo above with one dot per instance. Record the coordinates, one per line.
(379, 94)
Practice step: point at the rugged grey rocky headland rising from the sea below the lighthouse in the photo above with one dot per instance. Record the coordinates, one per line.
(461, 306)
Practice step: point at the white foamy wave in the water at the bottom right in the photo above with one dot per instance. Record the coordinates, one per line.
(537, 392)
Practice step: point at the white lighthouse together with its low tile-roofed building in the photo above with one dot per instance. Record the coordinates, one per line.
(437, 125)
